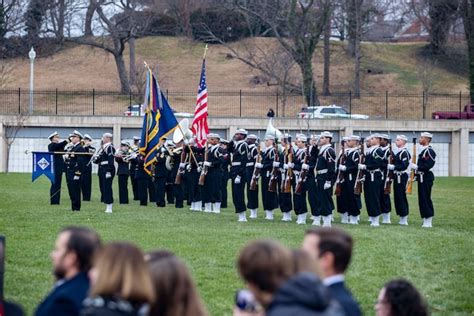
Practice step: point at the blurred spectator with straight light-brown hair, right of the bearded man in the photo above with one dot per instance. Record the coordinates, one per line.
(121, 283)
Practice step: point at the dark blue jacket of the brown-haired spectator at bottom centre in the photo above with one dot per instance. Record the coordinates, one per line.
(303, 295)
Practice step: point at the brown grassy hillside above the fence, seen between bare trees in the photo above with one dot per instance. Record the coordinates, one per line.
(385, 67)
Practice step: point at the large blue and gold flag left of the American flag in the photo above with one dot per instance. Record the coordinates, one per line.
(158, 123)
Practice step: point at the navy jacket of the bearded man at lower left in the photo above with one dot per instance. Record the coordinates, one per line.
(66, 299)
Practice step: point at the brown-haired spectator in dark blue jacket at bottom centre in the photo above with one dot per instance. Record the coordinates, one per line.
(268, 268)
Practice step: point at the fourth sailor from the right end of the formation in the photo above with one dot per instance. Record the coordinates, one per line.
(373, 179)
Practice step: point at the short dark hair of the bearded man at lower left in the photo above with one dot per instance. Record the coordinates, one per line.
(84, 243)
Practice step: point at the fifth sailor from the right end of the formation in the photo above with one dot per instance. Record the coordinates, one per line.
(350, 169)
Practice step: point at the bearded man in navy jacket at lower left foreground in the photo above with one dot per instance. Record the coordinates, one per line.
(72, 260)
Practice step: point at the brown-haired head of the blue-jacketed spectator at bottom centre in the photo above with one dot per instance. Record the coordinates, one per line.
(266, 264)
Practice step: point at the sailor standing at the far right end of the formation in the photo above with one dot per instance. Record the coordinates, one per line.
(425, 177)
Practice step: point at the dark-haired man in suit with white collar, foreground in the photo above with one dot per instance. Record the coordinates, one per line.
(332, 250)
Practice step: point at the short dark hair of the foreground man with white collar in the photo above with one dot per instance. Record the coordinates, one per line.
(335, 241)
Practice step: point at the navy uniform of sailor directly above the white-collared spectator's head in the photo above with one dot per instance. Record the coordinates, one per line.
(325, 174)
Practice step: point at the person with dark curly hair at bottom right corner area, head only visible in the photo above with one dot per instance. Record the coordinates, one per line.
(400, 298)
